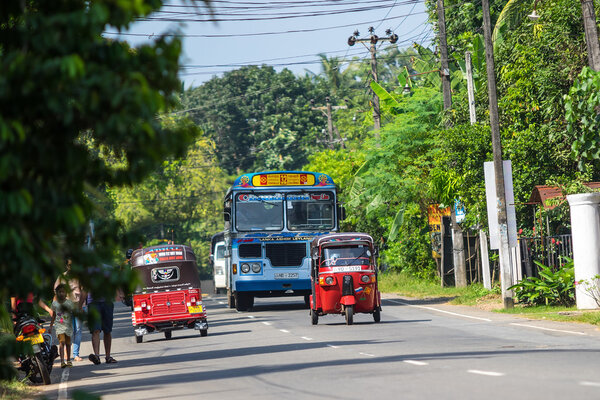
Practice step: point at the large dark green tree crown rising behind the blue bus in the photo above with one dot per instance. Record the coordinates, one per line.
(258, 118)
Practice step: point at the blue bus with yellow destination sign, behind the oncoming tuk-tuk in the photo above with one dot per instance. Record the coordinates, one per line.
(270, 220)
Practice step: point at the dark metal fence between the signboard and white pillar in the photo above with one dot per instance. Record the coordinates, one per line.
(550, 251)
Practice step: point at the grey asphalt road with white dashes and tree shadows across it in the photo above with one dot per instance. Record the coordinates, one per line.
(417, 351)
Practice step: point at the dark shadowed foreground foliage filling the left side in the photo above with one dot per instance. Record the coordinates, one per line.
(77, 112)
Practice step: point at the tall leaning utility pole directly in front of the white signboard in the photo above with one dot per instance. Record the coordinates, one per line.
(505, 267)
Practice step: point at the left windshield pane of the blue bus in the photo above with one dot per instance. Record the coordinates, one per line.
(262, 212)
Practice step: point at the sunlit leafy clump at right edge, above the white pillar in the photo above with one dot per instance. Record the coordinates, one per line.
(582, 112)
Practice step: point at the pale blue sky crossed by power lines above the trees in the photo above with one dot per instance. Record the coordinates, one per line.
(283, 33)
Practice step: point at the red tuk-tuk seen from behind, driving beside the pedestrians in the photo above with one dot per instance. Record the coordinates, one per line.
(169, 297)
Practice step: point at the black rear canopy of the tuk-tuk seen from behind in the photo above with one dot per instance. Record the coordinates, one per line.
(166, 267)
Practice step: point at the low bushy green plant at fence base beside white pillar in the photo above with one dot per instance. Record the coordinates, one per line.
(551, 288)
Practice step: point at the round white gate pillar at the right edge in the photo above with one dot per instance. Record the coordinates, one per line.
(585, 227)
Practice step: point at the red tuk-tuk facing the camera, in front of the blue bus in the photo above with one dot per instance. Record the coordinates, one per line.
(344, 276)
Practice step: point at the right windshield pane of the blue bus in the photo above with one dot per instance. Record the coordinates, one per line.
(310, 210)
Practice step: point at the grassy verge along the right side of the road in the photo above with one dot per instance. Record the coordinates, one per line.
(476, 295)
